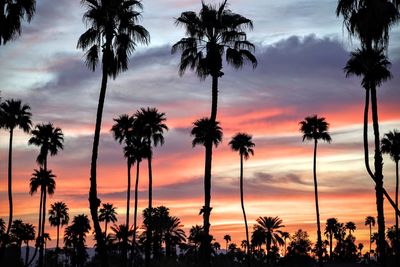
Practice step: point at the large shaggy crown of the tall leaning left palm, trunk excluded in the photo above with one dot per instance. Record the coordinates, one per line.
(113, 31)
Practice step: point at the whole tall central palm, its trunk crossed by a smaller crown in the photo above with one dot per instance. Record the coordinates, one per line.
(212, 33)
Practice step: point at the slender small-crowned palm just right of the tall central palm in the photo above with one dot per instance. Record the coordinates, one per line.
(243, 143)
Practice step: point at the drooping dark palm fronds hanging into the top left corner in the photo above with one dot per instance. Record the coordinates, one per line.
(11, 15)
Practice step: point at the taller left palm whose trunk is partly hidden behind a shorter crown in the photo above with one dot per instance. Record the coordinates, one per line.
(50, 140)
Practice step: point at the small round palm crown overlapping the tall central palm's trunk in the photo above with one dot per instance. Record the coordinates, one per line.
(204, 131)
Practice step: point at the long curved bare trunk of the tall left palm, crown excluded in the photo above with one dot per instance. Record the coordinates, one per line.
(93, 199)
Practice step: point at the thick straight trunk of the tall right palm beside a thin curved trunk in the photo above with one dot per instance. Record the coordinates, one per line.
(379, 180)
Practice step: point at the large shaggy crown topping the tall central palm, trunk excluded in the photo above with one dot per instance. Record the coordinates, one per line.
(210, 34)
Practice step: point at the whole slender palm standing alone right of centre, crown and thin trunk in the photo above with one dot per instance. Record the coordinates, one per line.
(316, 128)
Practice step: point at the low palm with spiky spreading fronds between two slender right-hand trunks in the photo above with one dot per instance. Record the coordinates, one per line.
(270, 227)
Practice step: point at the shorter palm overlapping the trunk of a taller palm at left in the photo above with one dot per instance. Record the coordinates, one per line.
(43, 179)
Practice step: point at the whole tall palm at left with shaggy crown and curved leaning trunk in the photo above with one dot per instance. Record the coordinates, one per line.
(113, 32)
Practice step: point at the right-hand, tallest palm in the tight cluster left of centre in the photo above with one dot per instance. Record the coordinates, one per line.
(151, 125)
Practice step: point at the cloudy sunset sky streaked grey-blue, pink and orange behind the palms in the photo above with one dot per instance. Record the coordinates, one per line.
(301, 48)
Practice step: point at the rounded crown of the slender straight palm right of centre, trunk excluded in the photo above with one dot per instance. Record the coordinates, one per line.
(315, 128)
